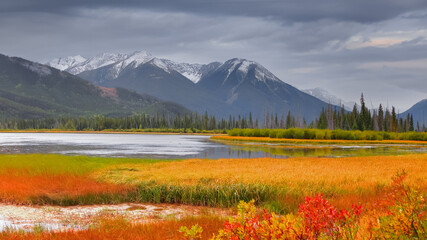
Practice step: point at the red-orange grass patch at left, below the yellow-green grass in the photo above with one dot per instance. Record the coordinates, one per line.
(20, 189)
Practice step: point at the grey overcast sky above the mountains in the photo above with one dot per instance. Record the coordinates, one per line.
(344, 46)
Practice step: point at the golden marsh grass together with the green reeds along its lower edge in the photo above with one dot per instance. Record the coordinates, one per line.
(277, 184)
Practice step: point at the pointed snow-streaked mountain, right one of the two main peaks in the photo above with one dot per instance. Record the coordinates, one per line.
(250, 87)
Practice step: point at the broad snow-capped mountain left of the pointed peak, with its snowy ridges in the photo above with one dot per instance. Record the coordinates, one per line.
(161, 78)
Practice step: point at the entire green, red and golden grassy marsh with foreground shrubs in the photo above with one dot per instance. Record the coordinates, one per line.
(278, 185)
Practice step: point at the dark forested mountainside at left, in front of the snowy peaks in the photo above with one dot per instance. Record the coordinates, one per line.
(33, 90)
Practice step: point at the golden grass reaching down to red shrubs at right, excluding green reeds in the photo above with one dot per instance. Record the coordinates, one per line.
(342, 180)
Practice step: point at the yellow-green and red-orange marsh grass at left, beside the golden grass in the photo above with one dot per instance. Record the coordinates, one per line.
(47, 179)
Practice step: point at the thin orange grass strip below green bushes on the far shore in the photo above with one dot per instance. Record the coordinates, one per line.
(319, 141)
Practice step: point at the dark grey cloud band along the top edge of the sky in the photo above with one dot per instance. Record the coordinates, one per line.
(284, 10)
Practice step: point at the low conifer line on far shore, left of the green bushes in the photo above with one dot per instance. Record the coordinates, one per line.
(192, 122)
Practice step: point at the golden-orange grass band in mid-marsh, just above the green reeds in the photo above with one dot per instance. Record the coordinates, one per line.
(349, 173)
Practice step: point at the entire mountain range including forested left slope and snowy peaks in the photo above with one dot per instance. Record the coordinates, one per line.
(124, 84)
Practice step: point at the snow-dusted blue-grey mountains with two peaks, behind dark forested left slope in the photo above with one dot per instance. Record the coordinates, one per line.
(237, 86)
